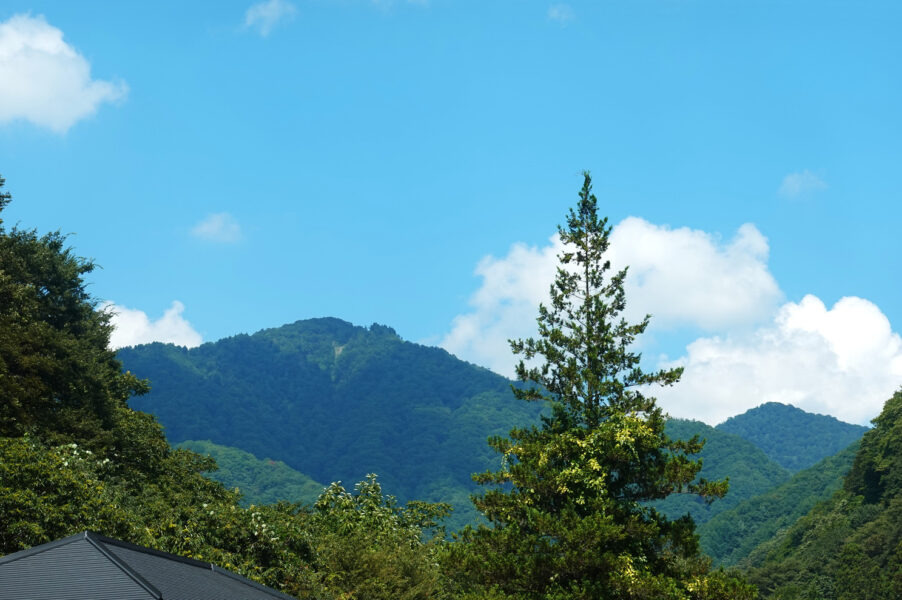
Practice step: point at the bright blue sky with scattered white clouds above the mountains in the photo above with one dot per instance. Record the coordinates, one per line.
(380, 161)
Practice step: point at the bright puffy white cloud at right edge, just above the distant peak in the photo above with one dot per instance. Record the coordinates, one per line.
(845, 361)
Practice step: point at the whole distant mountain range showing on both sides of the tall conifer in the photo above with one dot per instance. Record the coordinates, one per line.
(288, 409)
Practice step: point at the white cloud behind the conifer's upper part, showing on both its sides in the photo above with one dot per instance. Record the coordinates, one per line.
(682, 277)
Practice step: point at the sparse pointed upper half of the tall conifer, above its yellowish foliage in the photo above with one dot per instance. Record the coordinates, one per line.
(588, 366)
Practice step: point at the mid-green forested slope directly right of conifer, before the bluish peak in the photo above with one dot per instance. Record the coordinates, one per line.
(725, 456)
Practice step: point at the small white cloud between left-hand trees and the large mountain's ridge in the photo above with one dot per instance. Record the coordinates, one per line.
(132, 327)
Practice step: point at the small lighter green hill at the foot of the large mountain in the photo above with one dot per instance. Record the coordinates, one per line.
(260, 481)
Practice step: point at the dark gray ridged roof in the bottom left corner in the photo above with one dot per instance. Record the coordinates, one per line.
(89, 566)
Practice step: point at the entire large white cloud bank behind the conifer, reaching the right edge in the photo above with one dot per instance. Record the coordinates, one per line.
(844, 361)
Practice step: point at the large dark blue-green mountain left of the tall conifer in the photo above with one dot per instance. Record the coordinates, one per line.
(335, 402)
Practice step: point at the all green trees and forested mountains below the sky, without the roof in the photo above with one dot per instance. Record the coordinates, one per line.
(333, 461)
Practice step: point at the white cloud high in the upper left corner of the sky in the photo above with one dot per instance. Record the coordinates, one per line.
(44, 80)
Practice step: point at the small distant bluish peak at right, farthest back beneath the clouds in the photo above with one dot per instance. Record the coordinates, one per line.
(791, 437)
